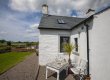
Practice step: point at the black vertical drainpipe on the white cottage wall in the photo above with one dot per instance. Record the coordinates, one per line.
(87, 36)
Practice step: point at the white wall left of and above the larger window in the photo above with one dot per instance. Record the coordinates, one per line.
(49, 44)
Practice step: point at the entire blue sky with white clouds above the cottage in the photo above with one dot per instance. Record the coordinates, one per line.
(19, 19)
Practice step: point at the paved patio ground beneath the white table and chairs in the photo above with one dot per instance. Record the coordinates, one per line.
(52, 75)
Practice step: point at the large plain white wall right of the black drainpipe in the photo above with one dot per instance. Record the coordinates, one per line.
(100, 47)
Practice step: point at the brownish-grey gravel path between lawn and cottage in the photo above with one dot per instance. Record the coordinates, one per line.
(26, 70)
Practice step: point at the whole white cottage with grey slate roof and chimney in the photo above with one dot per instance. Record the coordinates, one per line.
(91, 35)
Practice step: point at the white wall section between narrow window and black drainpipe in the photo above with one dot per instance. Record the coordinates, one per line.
(82, 43)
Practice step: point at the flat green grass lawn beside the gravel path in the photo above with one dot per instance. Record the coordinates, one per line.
(7, 60)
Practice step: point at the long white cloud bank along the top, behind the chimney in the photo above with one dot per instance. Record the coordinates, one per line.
(58, 7)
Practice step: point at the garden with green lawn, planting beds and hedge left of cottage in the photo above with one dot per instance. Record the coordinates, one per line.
(11, 53)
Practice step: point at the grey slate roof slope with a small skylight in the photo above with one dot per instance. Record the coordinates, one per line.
(51, 22)
